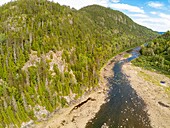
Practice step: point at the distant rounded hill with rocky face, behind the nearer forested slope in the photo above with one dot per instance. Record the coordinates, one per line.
(111, 20)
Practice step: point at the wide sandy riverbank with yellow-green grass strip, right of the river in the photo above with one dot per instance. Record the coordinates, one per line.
(148, 87)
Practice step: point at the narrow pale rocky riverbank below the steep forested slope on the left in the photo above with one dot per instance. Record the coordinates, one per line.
(80, 113)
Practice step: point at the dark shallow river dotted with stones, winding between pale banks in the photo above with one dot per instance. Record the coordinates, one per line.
(124, 108)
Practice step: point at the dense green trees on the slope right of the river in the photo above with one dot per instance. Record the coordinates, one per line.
(156, 54)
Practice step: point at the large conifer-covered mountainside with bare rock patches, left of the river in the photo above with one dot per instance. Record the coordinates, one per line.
(51, 55)
